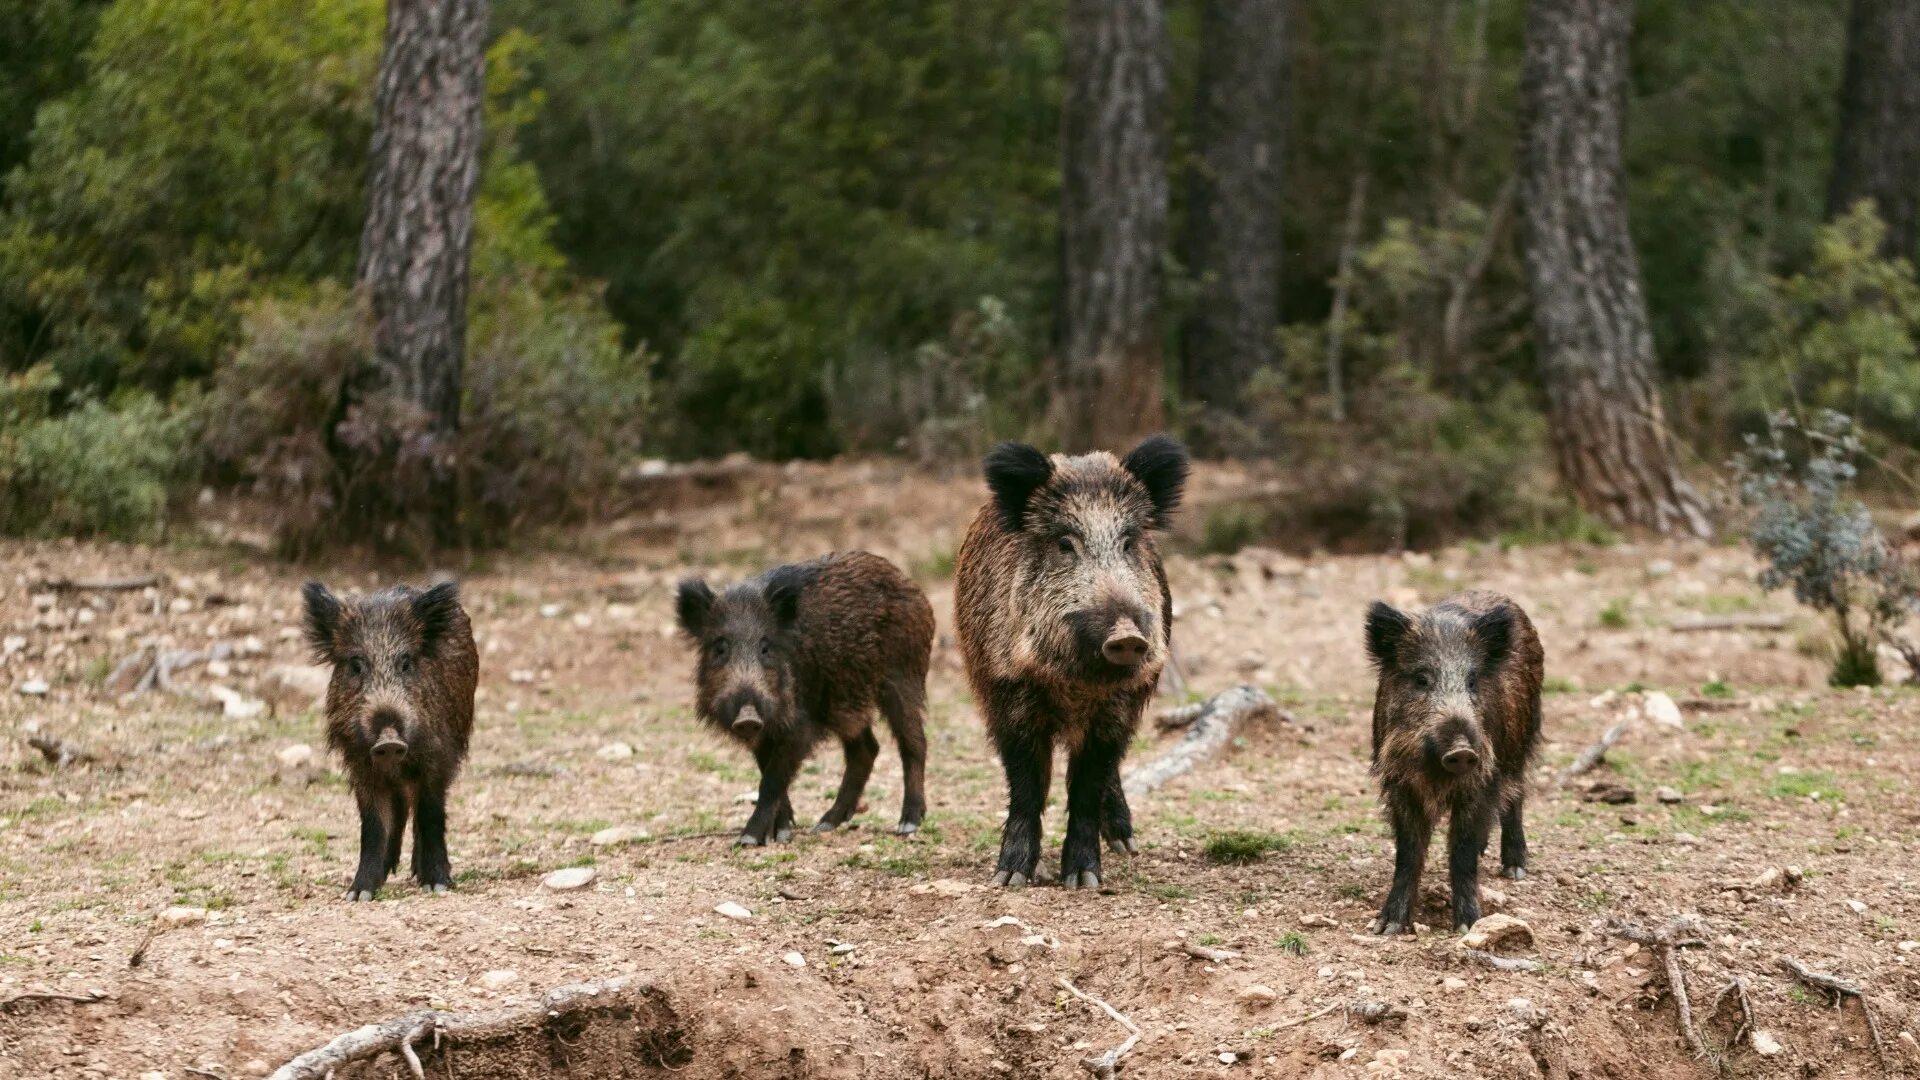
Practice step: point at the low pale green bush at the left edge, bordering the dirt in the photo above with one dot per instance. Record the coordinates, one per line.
(87, 470)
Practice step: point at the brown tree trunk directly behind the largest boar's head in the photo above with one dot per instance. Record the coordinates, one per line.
(1113, 222)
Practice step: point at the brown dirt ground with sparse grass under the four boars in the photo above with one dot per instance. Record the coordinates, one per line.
(212, 837)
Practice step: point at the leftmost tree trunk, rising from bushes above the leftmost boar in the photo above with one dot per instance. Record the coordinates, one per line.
(421, 184)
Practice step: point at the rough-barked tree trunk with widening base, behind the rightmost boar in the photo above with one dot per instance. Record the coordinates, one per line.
(1591, 318)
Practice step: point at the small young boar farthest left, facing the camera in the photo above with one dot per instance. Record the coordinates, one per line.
(398, 712)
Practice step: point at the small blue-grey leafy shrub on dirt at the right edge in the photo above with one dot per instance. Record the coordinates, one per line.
(1821, 541)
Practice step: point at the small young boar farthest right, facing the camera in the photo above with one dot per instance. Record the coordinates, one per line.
(1454, 725)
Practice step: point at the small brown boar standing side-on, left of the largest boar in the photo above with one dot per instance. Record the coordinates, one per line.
(811, 650)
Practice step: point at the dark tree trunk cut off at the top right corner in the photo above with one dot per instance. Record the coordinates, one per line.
(1879, 151)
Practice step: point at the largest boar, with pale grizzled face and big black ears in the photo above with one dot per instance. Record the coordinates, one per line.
(1065, 624)
